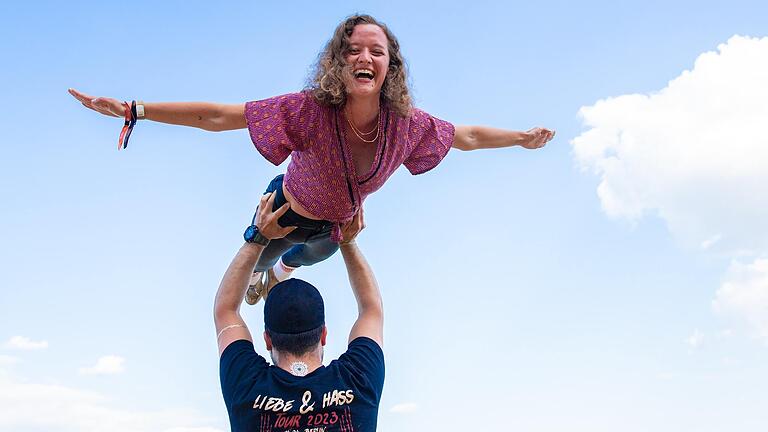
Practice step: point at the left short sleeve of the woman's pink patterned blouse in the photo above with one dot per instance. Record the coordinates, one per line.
(282, 124)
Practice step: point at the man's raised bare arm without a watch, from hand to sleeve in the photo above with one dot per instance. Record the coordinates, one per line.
(370, 310)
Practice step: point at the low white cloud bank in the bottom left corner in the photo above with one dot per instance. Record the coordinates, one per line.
(68, 409)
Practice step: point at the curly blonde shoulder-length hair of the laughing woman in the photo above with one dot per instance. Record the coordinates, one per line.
(326, 83)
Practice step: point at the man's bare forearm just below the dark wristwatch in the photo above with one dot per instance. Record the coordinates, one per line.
(235, 280)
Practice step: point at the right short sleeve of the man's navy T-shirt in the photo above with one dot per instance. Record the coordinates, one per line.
(365, 361)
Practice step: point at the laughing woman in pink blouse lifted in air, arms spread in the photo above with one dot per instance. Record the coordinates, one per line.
(346, 134)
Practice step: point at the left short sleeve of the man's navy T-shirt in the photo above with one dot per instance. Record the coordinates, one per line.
(239, 366)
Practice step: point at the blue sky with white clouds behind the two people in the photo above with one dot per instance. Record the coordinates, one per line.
(535, 290)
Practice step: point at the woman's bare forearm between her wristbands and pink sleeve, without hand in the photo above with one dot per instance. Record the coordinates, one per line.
(204, 115)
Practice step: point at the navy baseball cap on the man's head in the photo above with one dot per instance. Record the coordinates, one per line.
(293, 306)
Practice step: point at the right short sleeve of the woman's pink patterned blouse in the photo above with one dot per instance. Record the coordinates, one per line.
(431, 138)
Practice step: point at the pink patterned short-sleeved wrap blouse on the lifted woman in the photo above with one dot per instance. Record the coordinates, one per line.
(321, 174)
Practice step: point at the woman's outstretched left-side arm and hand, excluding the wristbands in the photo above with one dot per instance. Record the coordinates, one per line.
(204, 115)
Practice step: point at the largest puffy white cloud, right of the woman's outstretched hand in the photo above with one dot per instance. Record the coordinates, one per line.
(695, 153)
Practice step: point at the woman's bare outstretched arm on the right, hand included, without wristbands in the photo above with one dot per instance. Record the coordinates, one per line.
(481, 137)
